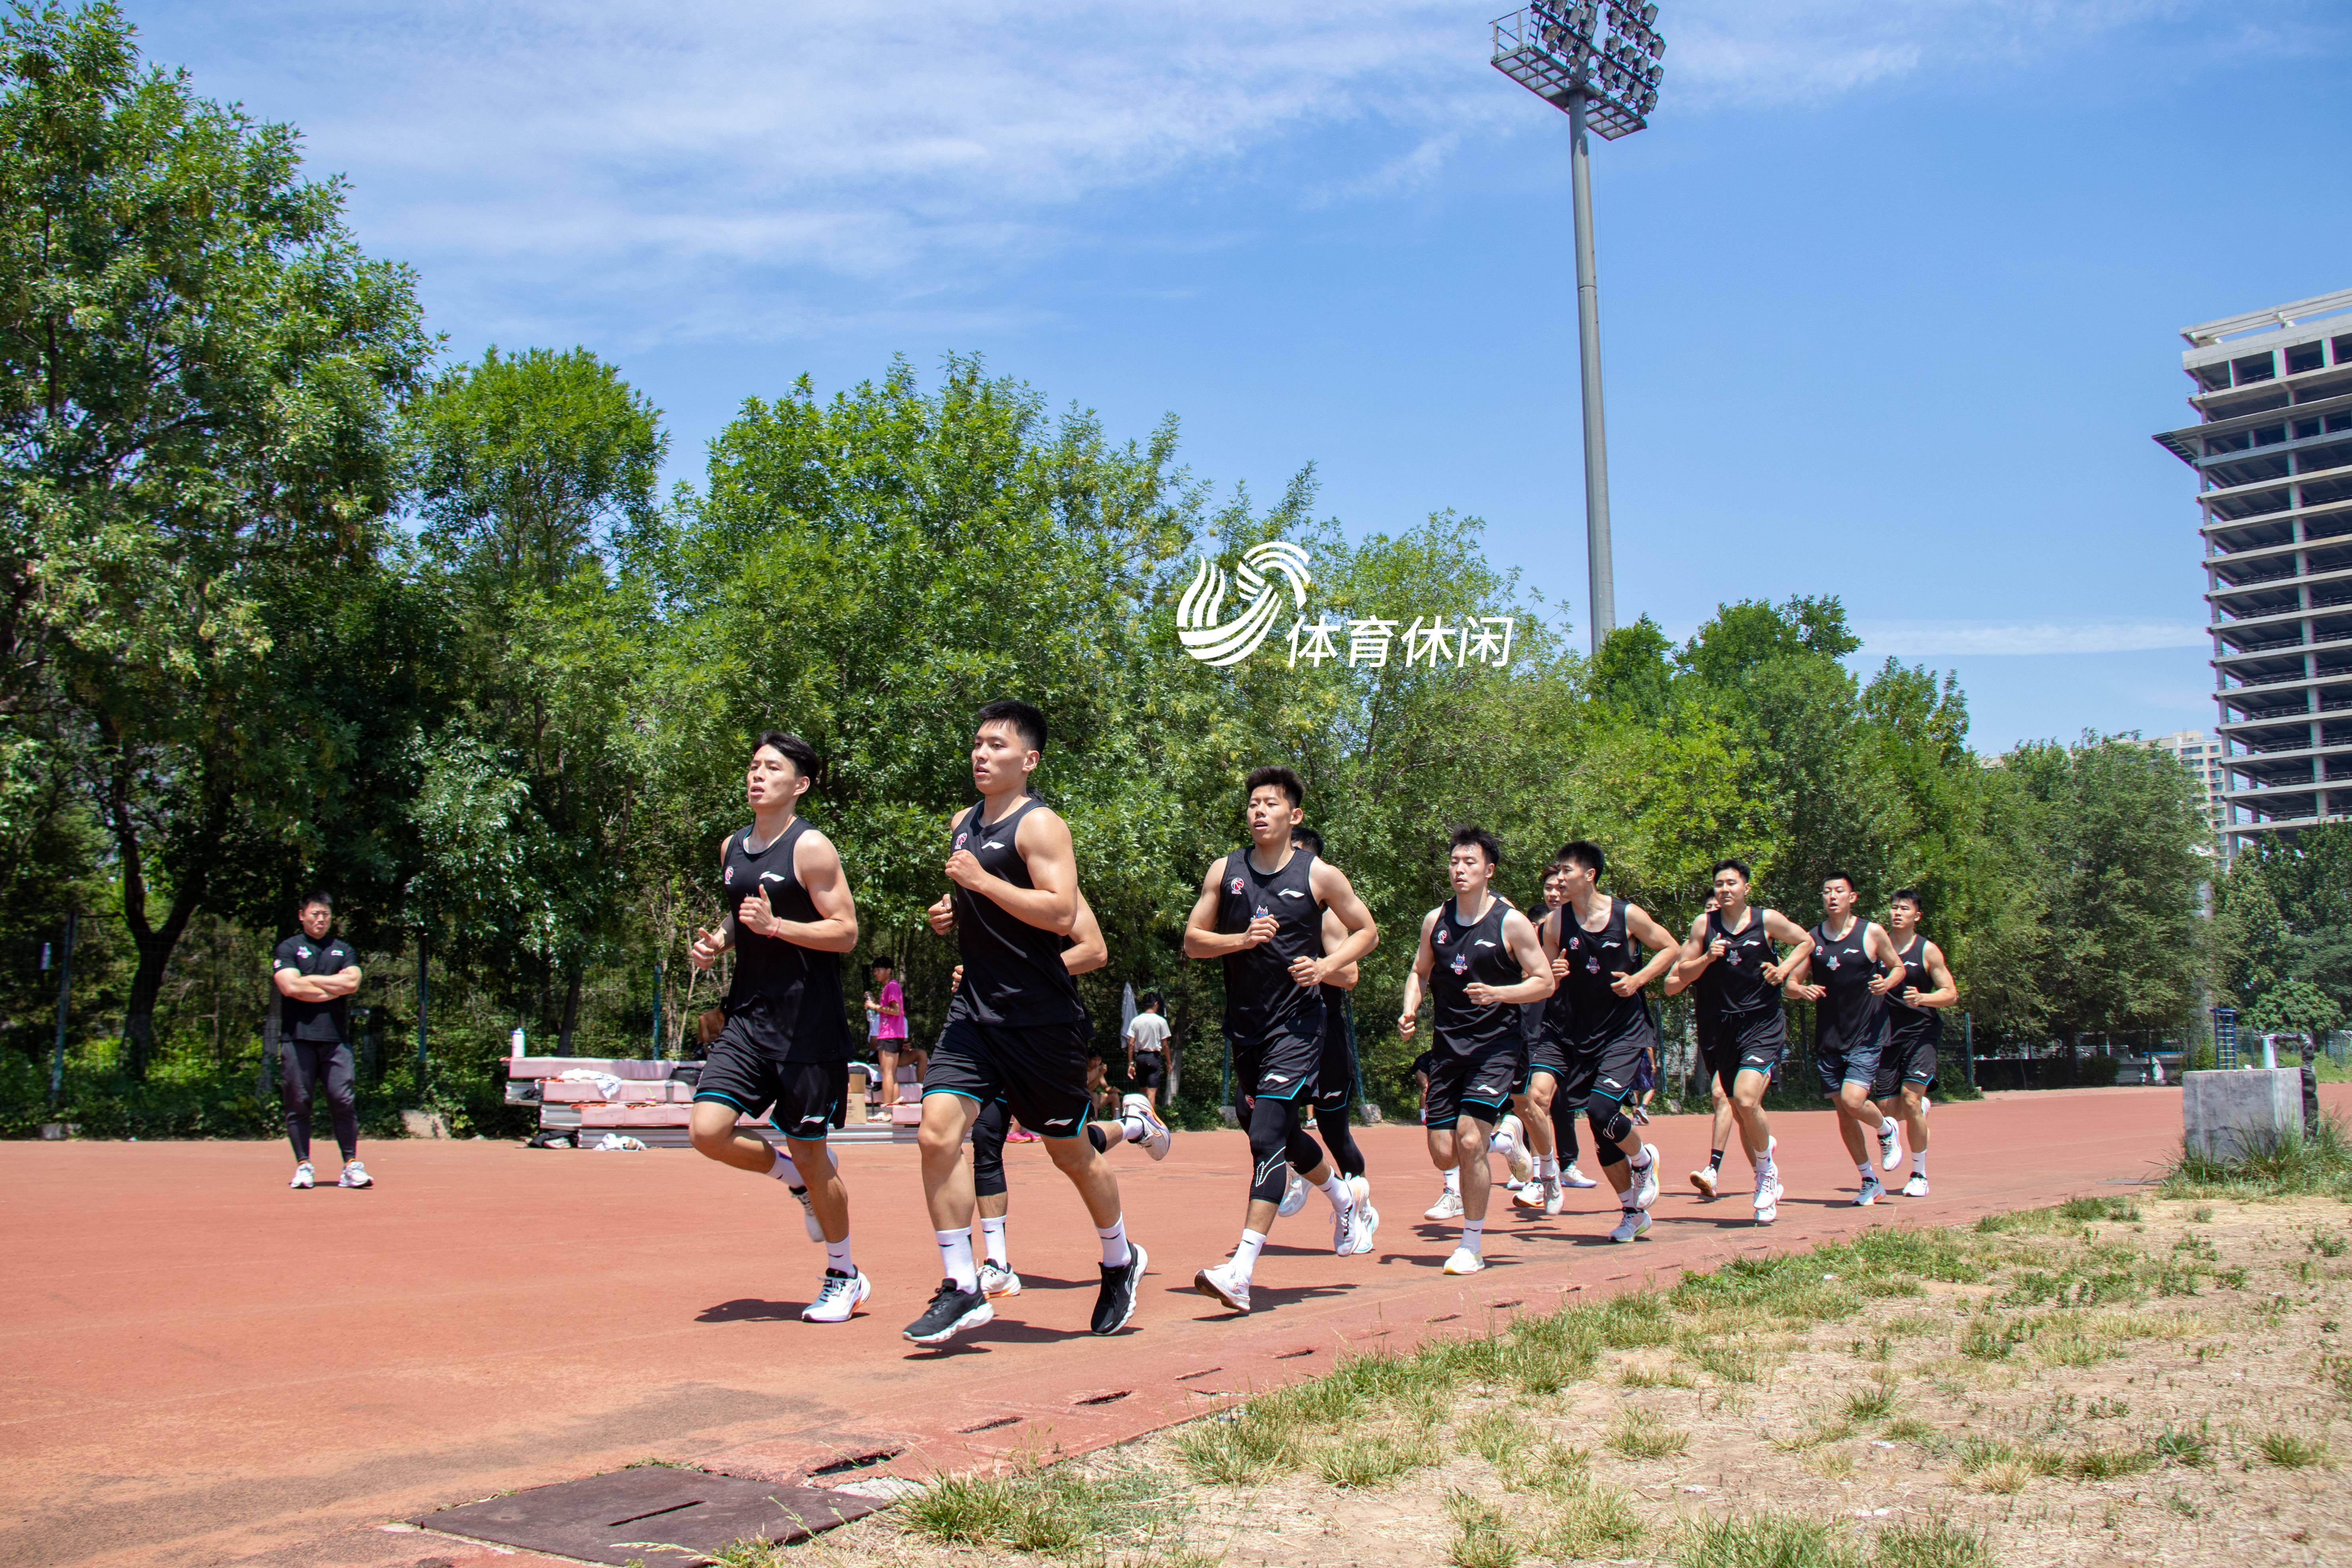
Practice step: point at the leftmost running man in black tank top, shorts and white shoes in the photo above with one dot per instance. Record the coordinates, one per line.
(784, 1043)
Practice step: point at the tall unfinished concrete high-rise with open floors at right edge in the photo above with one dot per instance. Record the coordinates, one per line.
(2273, 457)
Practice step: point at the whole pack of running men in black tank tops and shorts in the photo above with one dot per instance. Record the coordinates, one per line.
(1290, 934)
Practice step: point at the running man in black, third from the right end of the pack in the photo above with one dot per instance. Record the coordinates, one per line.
(1737, 972)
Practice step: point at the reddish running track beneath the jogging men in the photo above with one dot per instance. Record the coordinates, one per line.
(203, 1367)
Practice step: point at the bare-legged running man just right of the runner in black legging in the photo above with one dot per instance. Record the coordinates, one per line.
(1478, 960)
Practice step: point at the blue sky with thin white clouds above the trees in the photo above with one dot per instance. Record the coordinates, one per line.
(1890, 288)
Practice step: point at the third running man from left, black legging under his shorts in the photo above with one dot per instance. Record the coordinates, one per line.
(1262, 911)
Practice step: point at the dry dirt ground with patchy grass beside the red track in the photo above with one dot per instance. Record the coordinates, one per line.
(2118, 1381)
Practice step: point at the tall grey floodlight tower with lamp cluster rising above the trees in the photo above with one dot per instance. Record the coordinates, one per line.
(1608, 81)
